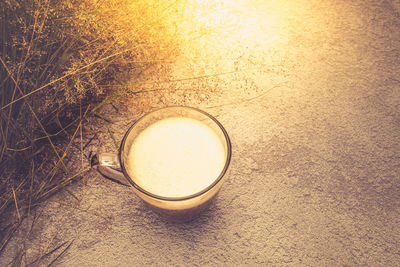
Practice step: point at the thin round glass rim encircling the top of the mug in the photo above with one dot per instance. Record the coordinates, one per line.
(216, 181)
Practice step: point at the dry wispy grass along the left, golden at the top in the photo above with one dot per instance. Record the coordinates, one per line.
(58, 61)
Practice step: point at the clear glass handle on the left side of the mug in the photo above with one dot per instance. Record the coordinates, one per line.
(107, 164)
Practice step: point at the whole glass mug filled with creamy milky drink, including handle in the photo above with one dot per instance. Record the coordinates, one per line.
(183, 152)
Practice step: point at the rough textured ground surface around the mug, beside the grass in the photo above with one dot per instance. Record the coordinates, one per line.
(315, 173)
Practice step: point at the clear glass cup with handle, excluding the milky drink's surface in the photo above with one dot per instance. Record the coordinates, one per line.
(184, 208)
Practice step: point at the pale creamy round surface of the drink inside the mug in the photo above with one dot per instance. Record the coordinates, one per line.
(176, 157)
